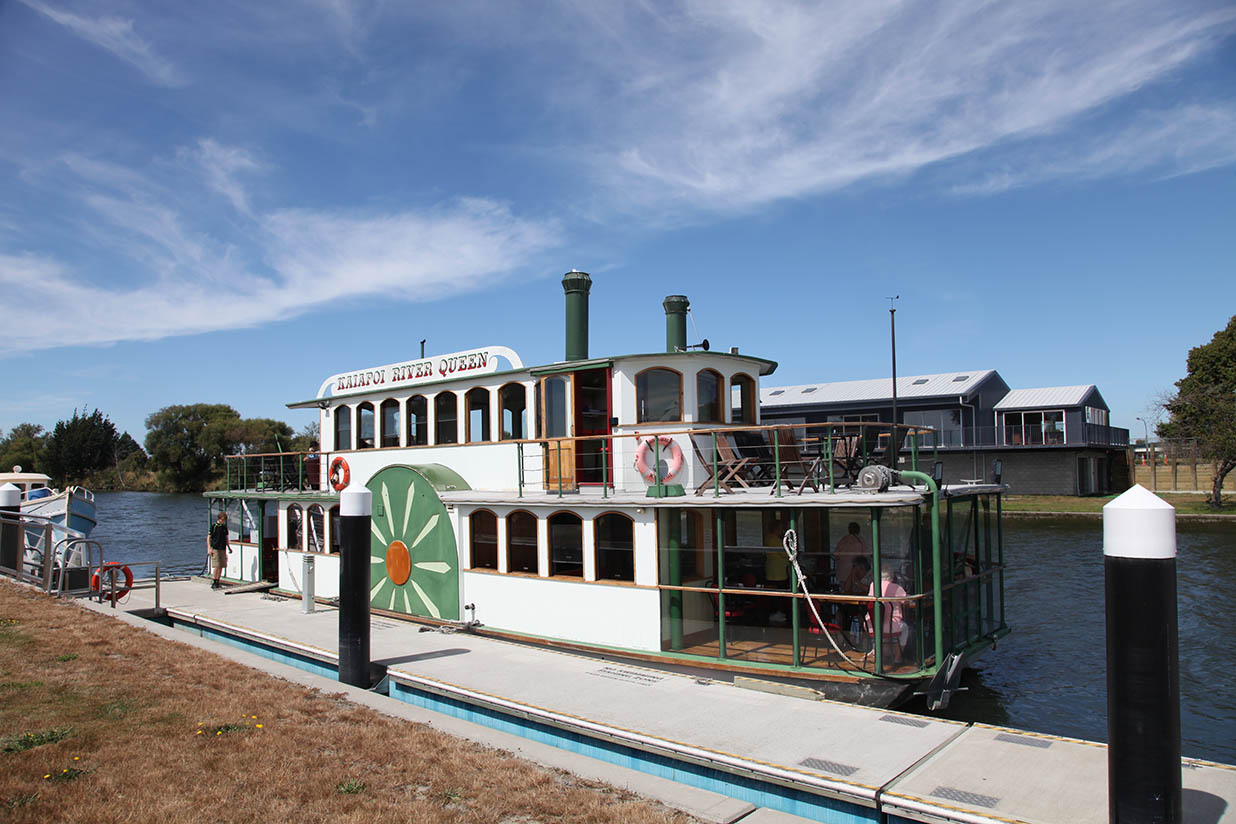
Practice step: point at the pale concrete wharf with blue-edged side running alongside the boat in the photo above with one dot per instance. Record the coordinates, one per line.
(750, 754)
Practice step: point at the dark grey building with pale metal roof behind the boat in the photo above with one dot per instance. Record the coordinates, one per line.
(1051, 440)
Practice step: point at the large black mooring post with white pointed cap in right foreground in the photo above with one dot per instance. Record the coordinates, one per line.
(1144, 673)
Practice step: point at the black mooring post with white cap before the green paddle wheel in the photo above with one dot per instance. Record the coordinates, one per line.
(355, 508)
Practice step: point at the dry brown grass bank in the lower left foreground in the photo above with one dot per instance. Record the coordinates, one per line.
(137, 728)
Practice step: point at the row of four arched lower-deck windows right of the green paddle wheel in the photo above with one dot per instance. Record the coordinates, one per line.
(614, 542)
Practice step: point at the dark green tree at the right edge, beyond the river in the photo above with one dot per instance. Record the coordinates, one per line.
(1204, 406)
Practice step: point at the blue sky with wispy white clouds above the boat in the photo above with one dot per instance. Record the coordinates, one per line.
(229, 202)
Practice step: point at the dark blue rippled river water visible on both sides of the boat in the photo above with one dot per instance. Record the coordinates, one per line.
(1048, 678)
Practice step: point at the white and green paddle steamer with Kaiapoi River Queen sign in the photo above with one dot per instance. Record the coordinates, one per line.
(635, 508)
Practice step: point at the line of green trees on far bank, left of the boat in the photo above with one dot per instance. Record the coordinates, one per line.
(184, 452)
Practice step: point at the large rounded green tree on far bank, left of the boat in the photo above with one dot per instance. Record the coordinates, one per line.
(188, 443)
